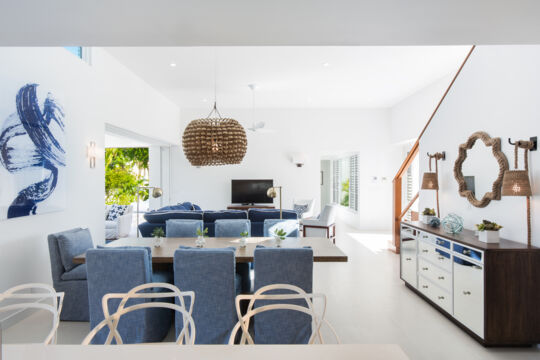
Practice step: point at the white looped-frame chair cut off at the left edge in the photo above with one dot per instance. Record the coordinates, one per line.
(34, 296)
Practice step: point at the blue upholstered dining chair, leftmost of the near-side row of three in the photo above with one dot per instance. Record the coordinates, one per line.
(118, 270)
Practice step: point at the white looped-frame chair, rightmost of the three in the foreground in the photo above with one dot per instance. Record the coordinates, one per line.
(295, 293)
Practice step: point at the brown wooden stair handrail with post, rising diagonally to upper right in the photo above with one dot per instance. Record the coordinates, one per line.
(397, 212)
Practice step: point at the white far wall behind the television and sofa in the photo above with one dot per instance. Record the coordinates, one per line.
(314, 132)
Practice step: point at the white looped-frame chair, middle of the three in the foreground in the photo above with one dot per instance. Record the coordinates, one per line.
(186, 336)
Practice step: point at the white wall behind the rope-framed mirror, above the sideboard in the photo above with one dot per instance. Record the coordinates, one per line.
(497, 92)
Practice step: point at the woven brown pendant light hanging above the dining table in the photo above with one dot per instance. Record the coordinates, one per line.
(214, 140)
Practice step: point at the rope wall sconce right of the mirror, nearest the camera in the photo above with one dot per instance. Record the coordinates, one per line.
(516, 182)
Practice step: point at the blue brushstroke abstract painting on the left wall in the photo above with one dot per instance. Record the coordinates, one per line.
(32, 154)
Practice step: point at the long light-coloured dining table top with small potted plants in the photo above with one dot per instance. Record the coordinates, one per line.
(323, 249)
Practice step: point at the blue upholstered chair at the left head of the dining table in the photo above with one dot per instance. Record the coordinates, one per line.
(67, 277)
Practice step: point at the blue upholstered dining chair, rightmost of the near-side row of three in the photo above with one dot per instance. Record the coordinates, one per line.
(283, 266)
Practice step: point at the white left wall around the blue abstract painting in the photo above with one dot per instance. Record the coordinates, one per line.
(91, 96)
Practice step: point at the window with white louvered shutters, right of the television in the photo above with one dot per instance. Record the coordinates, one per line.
(345, 182)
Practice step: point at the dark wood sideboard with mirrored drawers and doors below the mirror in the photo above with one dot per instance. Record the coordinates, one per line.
(492, 291)
